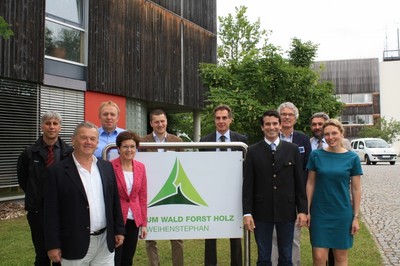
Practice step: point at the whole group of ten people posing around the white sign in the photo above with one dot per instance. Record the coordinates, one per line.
(82, 208)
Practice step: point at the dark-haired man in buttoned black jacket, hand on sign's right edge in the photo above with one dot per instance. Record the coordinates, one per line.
(274, 193)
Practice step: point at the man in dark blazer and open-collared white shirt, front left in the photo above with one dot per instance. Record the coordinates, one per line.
(83, 220)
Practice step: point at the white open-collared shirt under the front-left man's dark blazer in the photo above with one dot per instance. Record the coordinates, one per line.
(94, 193)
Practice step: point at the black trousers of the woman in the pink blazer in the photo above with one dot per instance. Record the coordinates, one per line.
(124, 254)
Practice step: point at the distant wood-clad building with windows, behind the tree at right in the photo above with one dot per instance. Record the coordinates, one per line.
(356, 84)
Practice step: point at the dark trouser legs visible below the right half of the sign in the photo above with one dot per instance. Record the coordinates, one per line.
(210, 257)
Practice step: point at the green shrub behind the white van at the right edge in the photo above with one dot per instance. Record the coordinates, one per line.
(387, 130)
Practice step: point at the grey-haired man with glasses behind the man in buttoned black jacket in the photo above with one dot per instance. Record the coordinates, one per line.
(289, 115)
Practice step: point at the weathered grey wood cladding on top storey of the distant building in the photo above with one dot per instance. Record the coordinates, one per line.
(352, 76)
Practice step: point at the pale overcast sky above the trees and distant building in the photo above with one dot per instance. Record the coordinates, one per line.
(343, 29)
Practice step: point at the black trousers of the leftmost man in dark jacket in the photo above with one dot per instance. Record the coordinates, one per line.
(35, 220)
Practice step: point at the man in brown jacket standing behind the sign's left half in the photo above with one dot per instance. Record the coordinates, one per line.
(159, 122)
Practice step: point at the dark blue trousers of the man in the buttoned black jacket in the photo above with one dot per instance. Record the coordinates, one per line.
(263, 235)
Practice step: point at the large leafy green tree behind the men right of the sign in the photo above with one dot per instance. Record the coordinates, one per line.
(252, 76)
